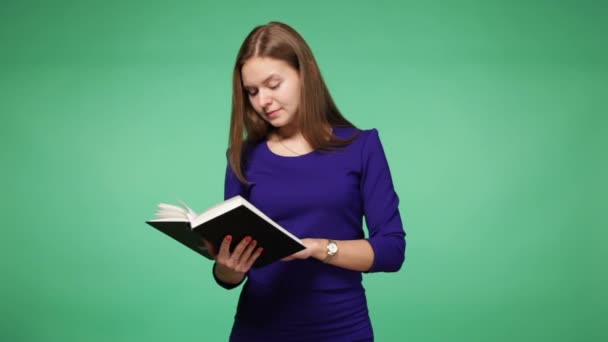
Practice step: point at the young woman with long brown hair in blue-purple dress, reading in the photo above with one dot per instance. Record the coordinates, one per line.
(294, 156)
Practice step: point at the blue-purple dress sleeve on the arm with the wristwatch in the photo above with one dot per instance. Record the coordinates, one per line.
(381, 208)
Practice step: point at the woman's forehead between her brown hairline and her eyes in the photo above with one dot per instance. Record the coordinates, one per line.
(258, 70)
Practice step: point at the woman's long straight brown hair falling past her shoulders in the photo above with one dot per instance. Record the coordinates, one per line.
(316, 112)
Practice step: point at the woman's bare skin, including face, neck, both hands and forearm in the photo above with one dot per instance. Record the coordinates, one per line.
(274, 92)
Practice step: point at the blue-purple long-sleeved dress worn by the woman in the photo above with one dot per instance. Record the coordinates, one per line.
(318, 195)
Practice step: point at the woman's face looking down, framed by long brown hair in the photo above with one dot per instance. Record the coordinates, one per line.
(273, 87)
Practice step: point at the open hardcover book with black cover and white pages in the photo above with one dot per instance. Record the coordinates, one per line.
(236, 217)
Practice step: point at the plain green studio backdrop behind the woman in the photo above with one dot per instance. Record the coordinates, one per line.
(492, 114)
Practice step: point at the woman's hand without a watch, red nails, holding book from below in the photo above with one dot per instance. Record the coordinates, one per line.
(232, 267)
